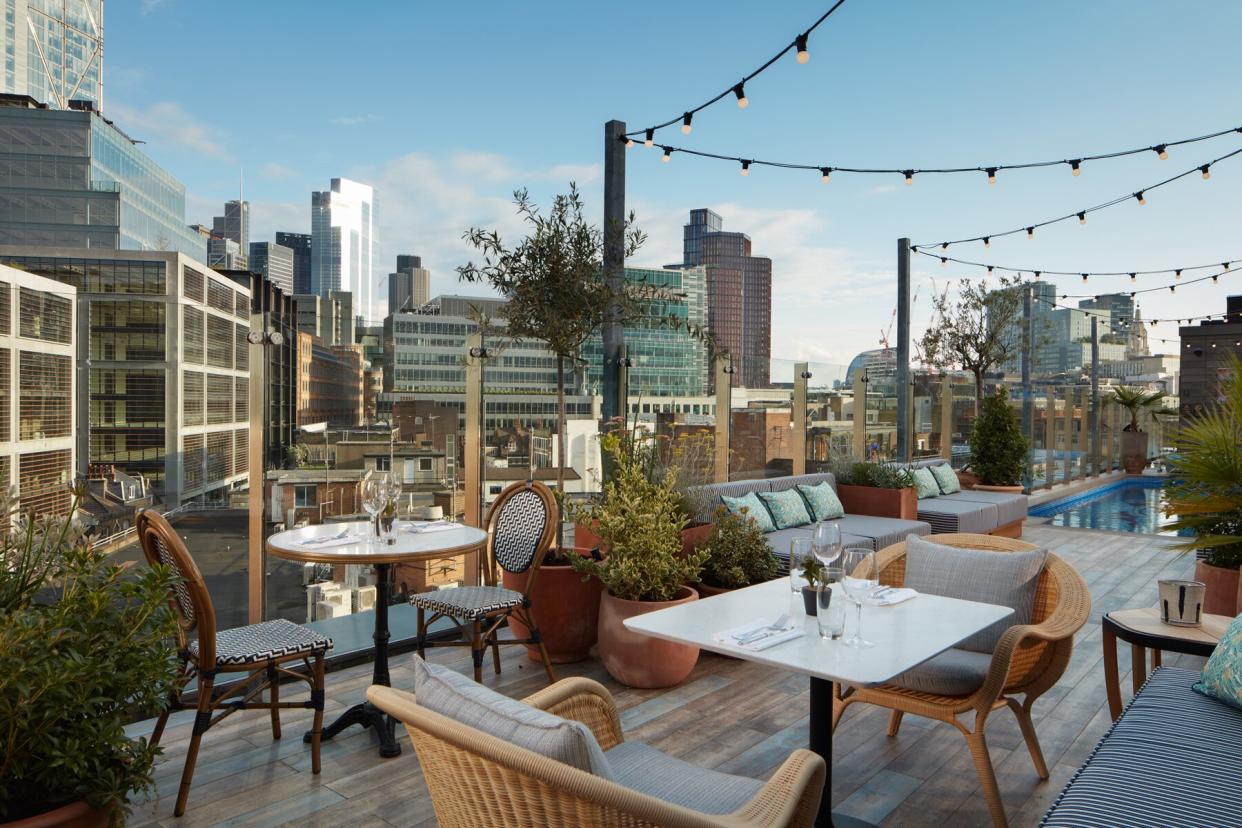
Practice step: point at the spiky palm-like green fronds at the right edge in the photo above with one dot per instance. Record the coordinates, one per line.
(1205, 490)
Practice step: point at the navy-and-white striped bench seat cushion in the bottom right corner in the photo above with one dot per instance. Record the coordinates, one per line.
(1172, 760)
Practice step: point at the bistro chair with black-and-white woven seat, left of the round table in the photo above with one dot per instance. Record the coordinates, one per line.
(259, 650)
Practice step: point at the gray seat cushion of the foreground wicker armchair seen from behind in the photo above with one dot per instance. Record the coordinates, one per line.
(645, 769)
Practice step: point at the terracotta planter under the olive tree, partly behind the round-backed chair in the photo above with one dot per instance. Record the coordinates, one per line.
(567, 610)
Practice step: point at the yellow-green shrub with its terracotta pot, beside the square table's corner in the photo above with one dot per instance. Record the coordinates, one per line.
(639, 523)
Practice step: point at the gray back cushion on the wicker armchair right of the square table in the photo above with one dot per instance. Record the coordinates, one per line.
(1005, 579)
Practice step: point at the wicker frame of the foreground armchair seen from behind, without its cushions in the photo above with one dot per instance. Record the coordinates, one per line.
(516, 788)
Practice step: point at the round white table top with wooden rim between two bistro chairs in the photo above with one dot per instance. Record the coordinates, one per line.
(368, 551)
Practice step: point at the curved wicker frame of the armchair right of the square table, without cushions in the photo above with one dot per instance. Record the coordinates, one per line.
(1028, 661)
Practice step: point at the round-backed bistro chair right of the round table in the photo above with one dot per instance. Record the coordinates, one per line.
(521, 529)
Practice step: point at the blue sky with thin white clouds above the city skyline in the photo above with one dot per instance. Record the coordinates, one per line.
(449, 109)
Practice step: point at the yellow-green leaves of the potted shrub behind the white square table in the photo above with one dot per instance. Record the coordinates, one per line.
(639, 522)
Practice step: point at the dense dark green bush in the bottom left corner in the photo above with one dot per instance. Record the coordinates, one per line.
(84, 644)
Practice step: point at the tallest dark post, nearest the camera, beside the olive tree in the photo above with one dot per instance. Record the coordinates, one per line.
(614, 261)
